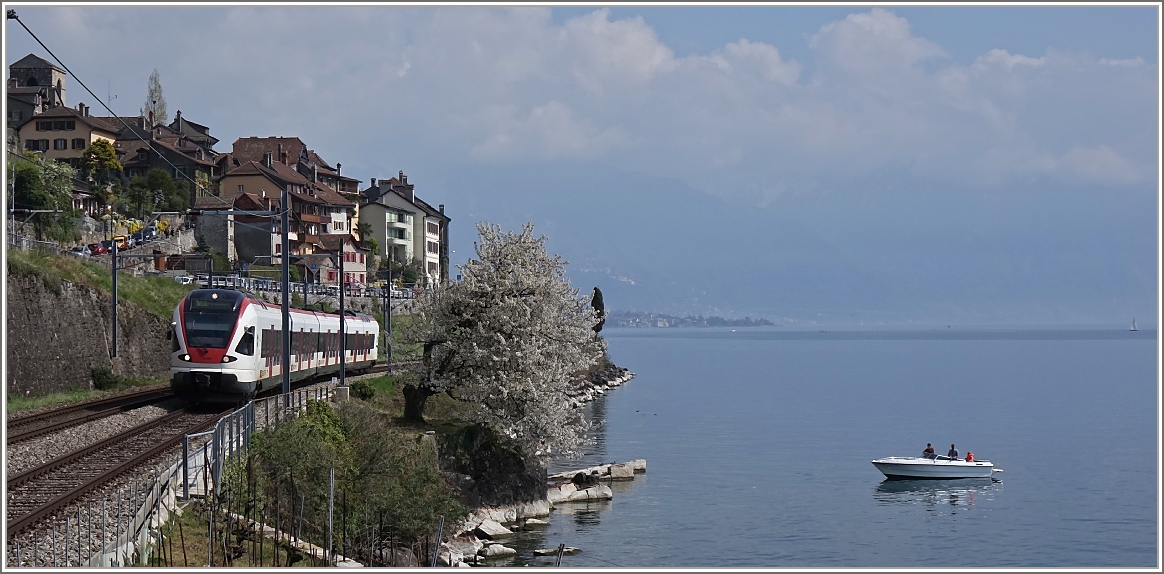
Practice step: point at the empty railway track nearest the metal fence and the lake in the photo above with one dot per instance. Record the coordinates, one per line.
(39, 493)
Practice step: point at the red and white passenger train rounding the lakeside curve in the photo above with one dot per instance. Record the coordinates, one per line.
(228, 345)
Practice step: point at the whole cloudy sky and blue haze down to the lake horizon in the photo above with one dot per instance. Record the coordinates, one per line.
(824, 165)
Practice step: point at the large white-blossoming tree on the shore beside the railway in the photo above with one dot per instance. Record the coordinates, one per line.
(508, 341)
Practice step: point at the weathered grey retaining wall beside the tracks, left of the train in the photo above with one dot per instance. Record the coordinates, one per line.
(54, 341)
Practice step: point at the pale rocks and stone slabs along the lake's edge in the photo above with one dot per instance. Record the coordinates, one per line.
(479, 536)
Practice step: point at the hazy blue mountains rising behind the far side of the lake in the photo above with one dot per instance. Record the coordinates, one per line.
(907, 254)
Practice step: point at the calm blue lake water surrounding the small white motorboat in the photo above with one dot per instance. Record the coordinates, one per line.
(758, 445)
